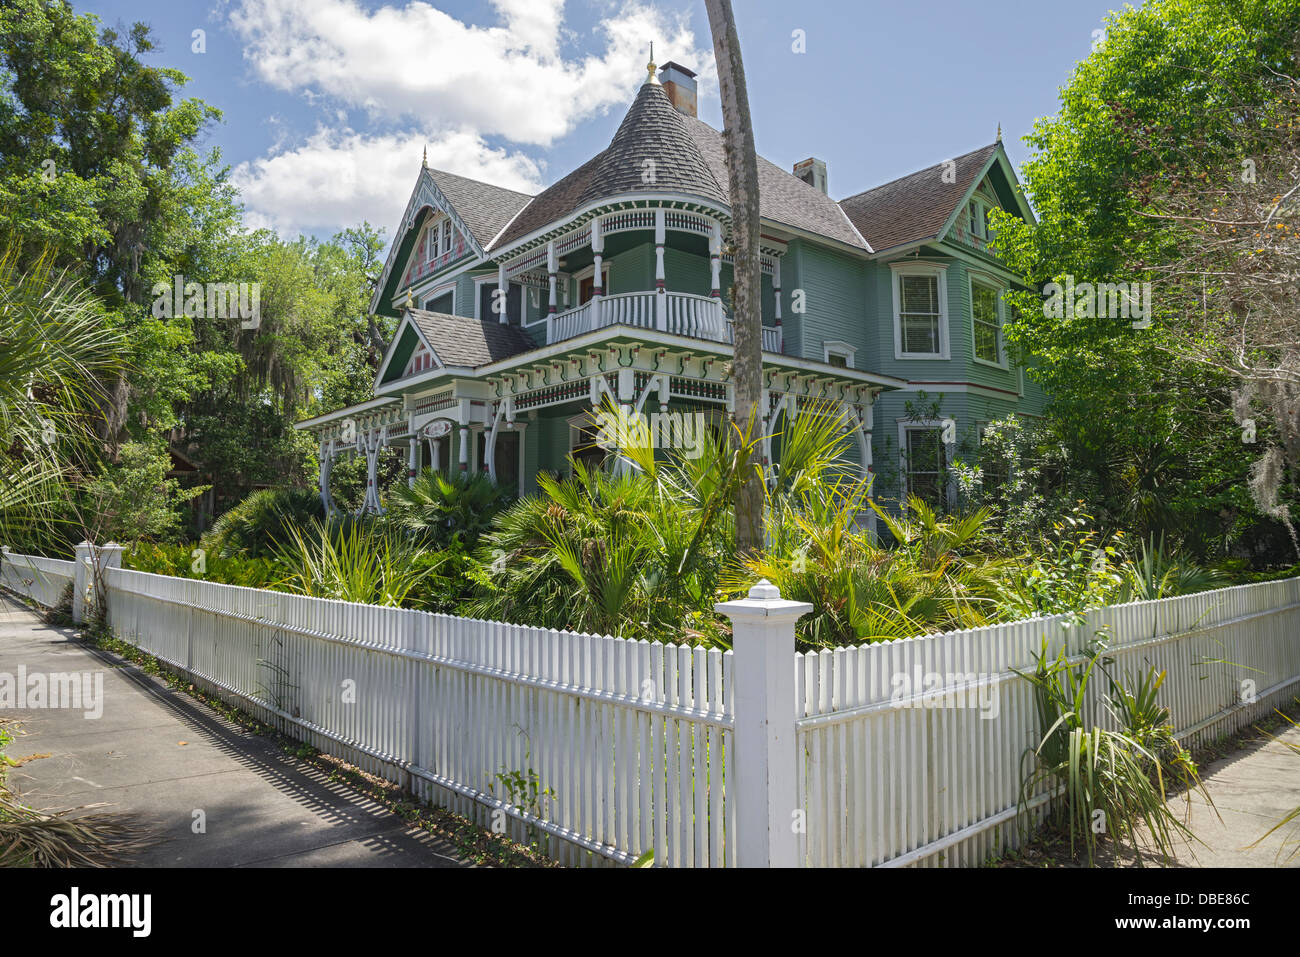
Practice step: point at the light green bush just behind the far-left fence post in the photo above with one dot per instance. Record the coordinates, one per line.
(135, 499)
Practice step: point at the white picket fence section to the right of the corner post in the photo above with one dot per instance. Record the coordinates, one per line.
(898, 772)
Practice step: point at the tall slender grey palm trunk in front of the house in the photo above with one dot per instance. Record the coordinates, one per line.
(747, 305)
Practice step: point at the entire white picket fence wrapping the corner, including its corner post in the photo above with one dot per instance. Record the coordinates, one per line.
(902, 754)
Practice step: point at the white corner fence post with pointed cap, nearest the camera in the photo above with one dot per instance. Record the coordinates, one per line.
(765, 743)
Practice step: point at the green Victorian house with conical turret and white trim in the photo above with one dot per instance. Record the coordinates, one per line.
(521, 317)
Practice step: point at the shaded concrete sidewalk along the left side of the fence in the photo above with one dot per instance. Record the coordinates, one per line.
(161, 756)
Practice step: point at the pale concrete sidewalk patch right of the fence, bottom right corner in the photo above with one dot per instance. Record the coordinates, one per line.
(1253, 790)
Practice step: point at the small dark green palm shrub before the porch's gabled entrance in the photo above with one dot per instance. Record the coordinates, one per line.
(444, 510)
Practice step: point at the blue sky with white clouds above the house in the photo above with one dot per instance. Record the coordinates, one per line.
(328, 103)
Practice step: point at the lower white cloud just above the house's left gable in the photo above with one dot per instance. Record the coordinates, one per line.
(341, 177)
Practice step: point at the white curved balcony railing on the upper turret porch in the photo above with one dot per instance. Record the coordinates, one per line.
(682, 314)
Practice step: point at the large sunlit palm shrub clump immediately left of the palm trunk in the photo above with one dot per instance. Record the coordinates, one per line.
(636, 548)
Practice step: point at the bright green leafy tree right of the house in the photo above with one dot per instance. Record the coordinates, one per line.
(1145, 426)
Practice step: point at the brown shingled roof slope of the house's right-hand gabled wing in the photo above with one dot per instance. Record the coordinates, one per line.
(916, 207)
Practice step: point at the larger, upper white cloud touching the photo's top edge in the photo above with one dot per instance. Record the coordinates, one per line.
(417, 63)
